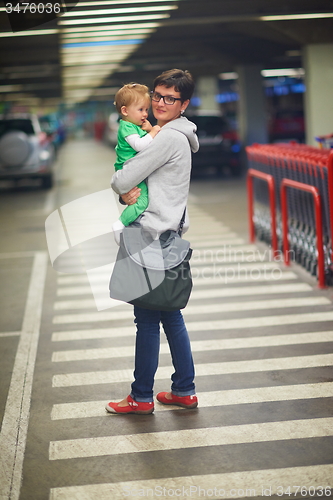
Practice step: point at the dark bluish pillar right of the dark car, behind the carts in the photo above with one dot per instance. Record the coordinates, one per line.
(252, 107)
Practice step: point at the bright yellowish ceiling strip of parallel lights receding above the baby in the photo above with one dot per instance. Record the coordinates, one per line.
(102, 40)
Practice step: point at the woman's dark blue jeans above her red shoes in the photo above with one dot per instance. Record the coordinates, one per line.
(147, 353)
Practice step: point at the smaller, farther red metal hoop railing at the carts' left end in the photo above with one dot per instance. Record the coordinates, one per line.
(271, 190)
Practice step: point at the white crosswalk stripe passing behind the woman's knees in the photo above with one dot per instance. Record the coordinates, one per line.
(198, 346)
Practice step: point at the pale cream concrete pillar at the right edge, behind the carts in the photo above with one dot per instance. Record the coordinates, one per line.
(318, 65)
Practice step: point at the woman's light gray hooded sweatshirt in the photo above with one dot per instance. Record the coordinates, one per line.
(166, 165)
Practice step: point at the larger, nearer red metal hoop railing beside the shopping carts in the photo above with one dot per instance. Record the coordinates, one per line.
(319, 223)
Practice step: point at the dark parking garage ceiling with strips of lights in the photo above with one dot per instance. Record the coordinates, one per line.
(92, 47)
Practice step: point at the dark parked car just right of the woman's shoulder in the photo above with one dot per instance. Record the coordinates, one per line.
(219, 143)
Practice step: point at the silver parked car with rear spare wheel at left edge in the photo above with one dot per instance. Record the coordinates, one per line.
(25, 151)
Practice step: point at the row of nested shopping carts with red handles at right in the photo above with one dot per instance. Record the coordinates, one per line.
(309, 166)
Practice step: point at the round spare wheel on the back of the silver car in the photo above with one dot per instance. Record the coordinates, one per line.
(15, 148)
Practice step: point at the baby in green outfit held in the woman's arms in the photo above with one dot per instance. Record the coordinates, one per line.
(135, 133)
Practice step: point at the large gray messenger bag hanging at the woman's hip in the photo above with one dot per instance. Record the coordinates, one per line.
(152, 274)
